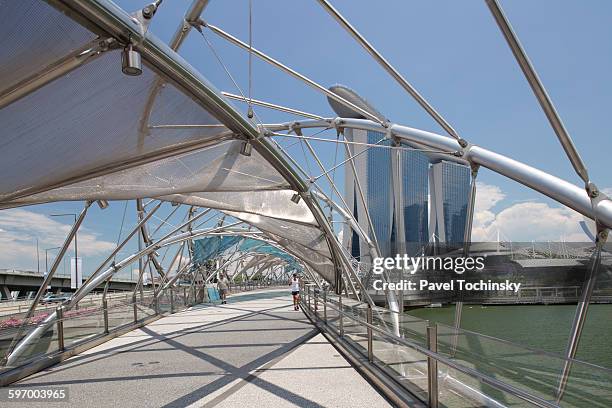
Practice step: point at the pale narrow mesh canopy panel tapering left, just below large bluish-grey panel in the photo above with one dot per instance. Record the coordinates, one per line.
(220, 167)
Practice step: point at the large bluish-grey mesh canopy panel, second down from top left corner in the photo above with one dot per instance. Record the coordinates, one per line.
(78, 123)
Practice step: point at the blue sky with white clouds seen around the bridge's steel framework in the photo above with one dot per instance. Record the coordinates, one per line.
(451, 51)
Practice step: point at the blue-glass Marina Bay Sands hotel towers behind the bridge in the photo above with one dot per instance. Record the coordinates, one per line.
(416, 201)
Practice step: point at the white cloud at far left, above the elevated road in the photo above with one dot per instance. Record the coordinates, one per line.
(19, 229)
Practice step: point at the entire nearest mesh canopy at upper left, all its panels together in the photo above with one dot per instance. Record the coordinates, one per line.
(96, 133)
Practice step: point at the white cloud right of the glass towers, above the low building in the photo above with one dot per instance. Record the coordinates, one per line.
(524, 221)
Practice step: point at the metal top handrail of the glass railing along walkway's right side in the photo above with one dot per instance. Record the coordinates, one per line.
(500, 385)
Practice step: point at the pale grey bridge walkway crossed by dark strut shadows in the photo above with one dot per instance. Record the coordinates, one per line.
(253, 352)
